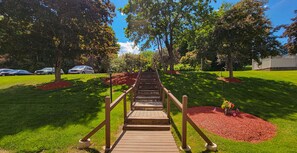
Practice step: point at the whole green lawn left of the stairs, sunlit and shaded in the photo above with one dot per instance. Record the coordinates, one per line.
(33, 120)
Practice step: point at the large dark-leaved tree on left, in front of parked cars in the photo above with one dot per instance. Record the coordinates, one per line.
(60, 29)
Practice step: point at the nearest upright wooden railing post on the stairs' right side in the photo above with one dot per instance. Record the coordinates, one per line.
(184, 123)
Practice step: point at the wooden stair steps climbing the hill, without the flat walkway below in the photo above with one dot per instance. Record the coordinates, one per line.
(147, 108)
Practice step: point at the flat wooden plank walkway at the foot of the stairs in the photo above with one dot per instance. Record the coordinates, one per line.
(145, 142)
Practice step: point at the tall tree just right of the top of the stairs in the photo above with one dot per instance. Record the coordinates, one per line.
(160, 22)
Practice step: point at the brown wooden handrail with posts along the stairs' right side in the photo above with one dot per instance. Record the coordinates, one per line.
(183, 108)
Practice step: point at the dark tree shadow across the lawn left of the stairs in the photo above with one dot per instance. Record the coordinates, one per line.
(28, 108)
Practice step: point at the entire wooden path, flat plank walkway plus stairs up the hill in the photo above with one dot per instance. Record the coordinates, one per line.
(147, 128)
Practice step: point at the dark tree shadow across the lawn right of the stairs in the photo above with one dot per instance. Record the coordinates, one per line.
(263, 98)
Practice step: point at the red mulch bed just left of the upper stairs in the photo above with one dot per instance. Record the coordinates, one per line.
(122, 78)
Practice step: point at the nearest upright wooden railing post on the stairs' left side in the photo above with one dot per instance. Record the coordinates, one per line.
(107, 125)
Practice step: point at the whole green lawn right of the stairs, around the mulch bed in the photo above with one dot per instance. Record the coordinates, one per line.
(268, 95)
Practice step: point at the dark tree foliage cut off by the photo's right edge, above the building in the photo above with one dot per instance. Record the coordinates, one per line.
(291, 33)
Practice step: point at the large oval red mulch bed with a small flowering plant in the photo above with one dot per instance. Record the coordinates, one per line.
(242, 127)
